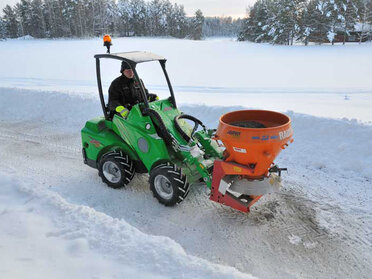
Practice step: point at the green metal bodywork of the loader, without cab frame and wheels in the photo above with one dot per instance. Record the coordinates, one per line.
(136, 136)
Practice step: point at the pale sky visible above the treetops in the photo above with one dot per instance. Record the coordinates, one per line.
(234, 8)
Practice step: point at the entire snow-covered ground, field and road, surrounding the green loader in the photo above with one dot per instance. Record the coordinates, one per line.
(57, 219)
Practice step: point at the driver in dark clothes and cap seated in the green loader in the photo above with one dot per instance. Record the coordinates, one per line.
(124, 91)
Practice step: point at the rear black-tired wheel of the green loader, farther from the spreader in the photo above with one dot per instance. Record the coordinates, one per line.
(116, 169)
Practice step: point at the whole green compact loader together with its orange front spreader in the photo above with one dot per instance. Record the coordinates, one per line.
(236, 160)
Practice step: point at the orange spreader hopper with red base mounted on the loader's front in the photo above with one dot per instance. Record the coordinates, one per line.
(253, 139)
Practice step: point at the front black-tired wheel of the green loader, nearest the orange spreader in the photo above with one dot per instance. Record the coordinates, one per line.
(177, 187)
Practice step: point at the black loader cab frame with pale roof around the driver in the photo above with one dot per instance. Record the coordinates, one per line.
(132, 58)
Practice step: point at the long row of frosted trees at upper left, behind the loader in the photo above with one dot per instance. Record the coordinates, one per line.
(86, 18)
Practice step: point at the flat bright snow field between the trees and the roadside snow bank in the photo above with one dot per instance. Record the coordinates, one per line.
(327, 81)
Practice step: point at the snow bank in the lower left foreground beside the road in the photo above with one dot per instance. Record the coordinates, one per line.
(53, 238)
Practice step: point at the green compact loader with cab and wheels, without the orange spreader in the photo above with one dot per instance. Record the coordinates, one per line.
(153, 138)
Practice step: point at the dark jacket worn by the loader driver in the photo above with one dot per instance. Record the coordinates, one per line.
(125, 92)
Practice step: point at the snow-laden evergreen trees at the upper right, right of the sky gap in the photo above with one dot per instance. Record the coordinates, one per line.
(287, 21)
